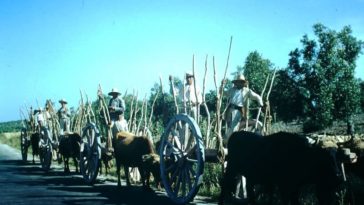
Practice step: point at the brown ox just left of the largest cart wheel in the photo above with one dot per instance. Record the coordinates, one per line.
(129, 152)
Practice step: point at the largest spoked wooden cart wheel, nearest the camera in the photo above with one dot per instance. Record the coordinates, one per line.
(182, 159)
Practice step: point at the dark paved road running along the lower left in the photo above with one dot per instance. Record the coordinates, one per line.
(25, 183)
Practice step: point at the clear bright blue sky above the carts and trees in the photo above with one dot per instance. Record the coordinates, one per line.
(54, 49)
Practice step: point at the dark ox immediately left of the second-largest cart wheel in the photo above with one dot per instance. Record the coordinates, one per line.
(69, 147)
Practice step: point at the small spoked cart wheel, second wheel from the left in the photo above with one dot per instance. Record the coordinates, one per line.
(45, 150)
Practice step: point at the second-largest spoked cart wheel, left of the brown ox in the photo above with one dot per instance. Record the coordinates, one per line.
(90, 153)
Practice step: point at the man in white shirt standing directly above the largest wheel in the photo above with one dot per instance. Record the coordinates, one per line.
(191, 91)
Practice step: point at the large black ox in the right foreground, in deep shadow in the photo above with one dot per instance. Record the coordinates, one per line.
(284, 160)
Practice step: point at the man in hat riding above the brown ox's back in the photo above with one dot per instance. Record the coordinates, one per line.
(116, 105)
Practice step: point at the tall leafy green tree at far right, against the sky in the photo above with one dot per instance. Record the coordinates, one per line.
(323, 73)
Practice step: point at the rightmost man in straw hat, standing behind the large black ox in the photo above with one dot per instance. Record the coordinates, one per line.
(238, 97)
